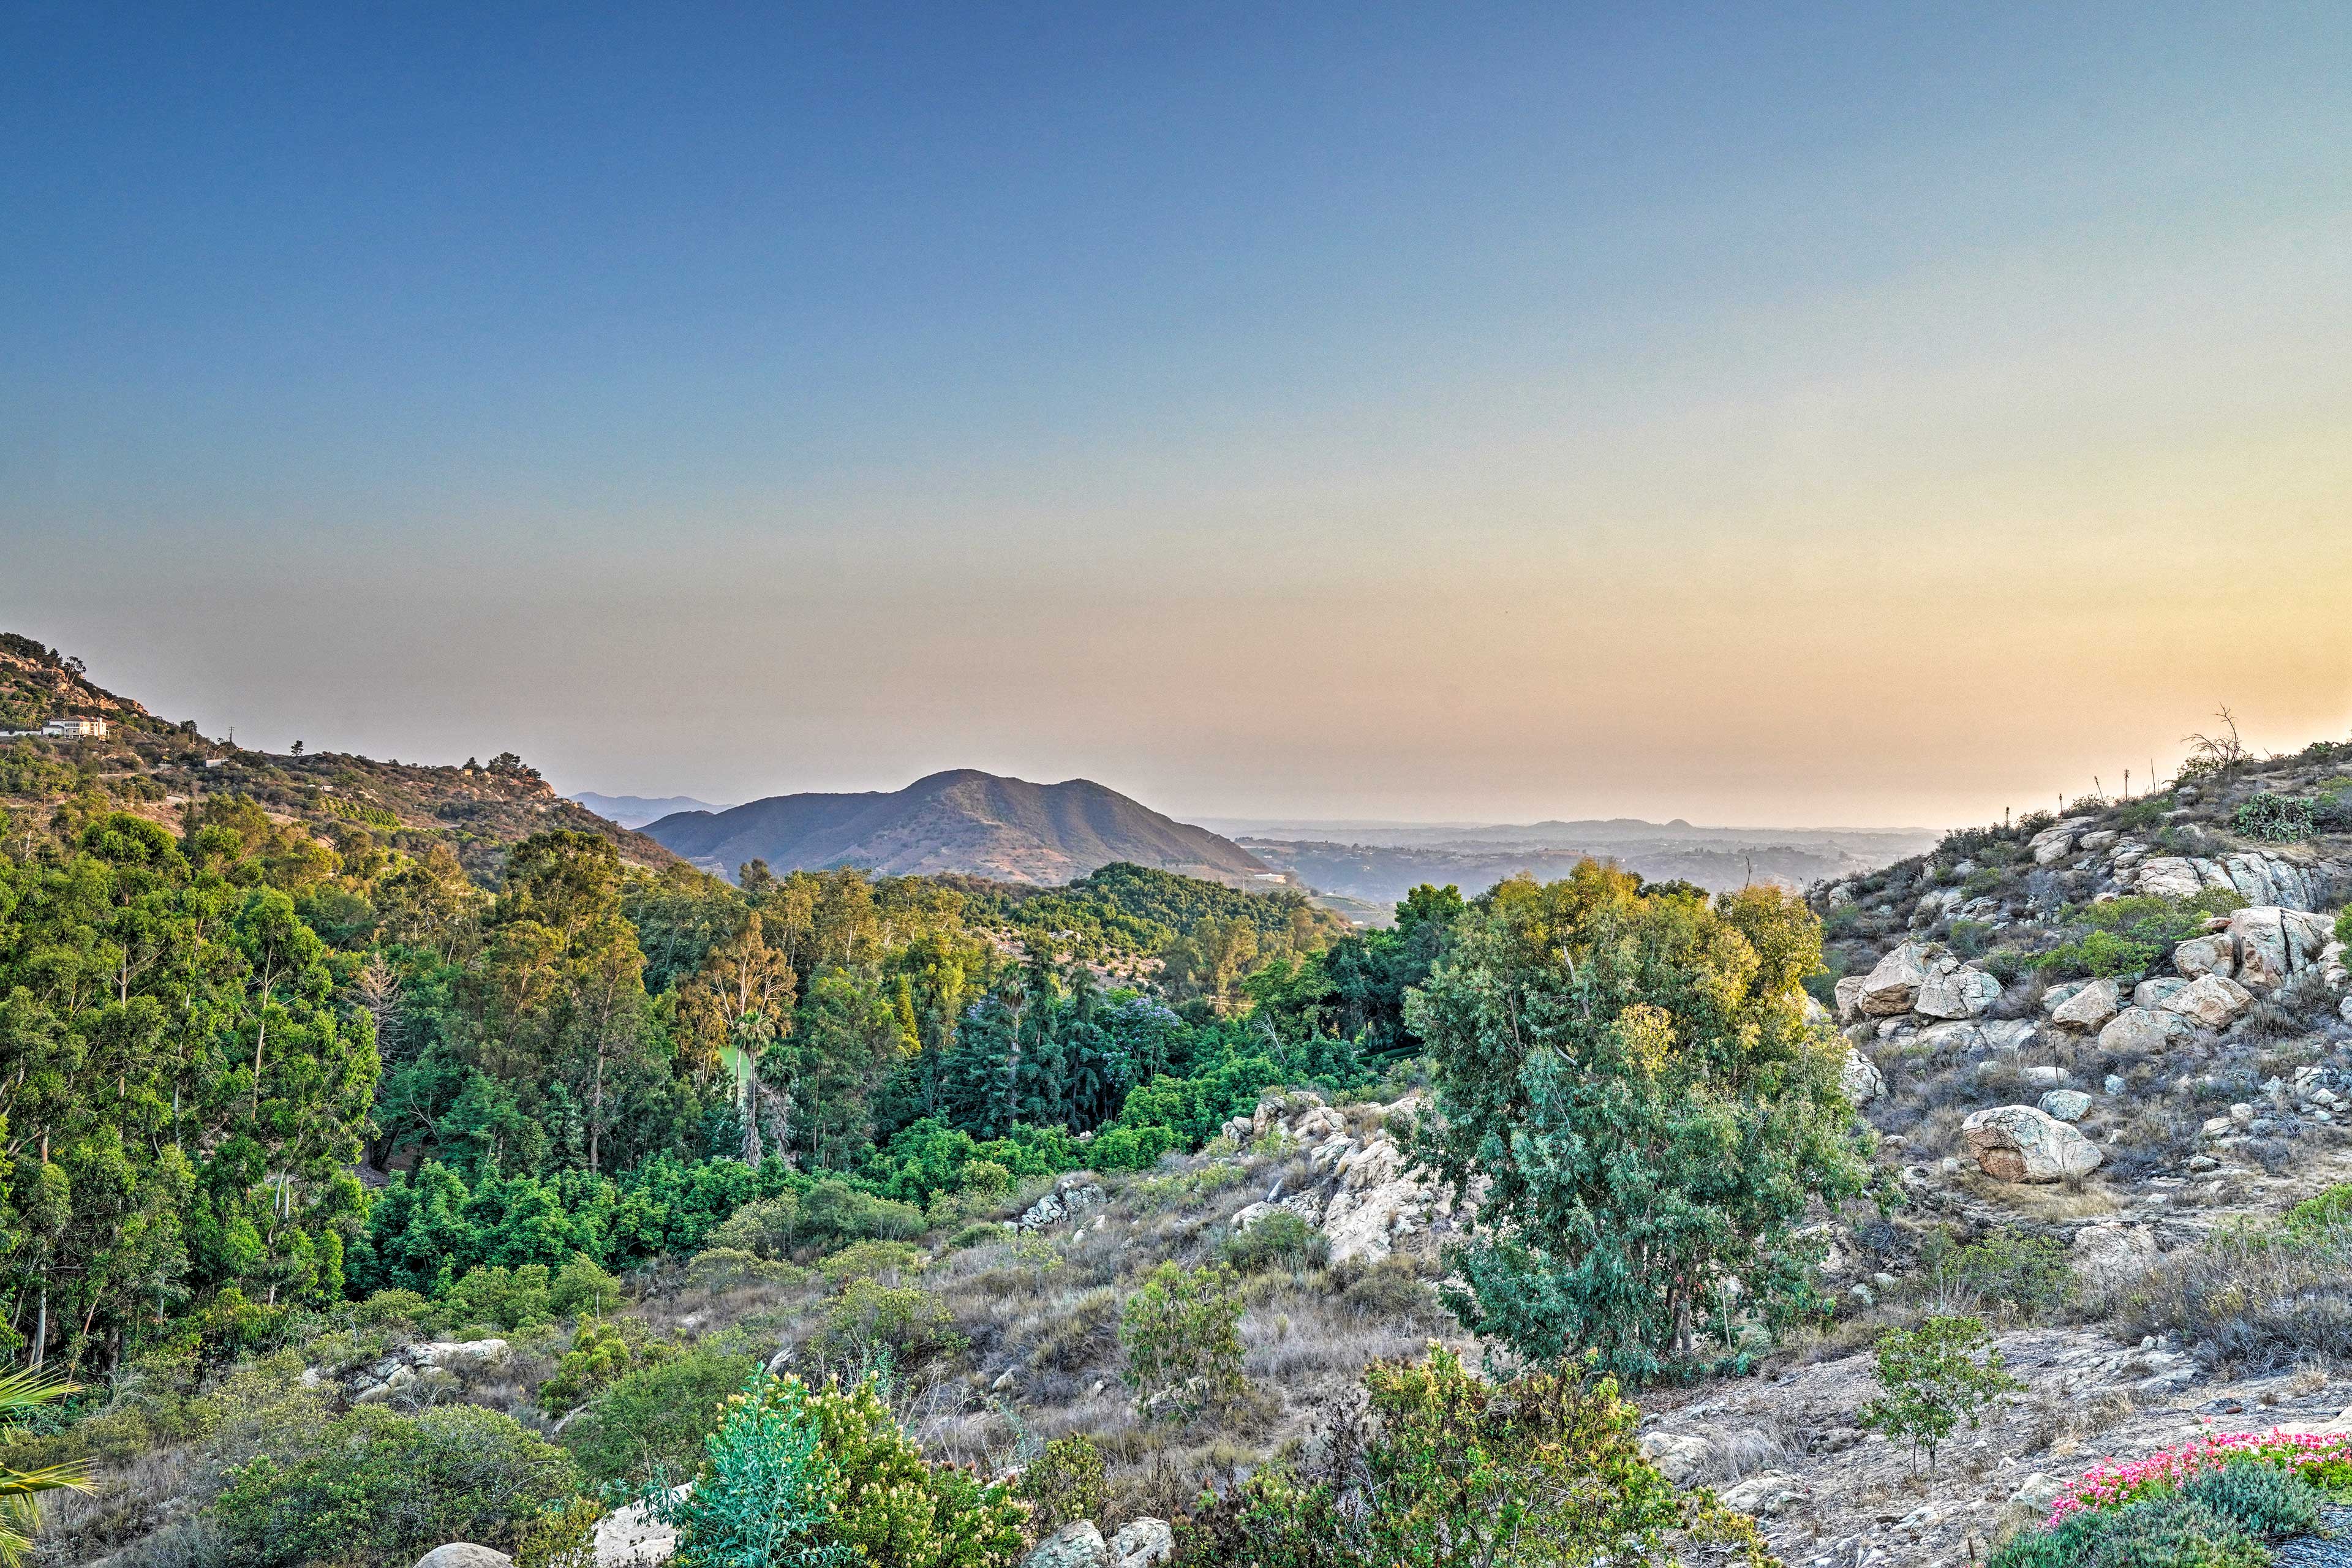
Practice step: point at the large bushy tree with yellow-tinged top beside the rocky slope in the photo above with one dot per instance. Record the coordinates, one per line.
(1631, 1087)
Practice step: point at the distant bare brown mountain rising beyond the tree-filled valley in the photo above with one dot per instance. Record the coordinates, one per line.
(961, 822)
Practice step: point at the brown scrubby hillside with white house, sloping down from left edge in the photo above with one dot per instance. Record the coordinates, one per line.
(154, 768)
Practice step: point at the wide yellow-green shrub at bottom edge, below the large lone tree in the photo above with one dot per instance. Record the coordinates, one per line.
(1438, 1466)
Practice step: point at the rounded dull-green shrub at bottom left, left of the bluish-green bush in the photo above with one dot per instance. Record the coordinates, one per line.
(377, 1489)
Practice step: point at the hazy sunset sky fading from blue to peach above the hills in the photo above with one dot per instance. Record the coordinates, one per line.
(1758, 415)
